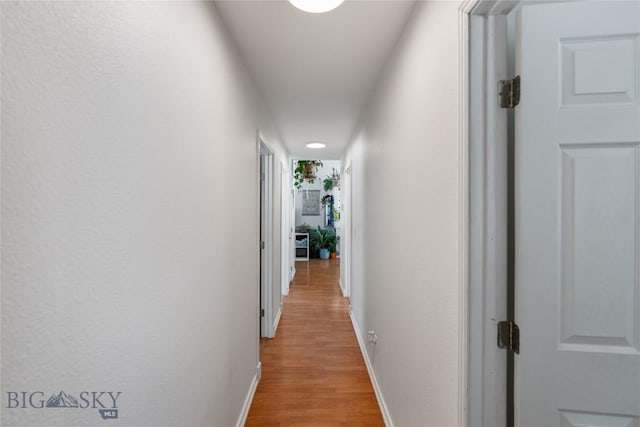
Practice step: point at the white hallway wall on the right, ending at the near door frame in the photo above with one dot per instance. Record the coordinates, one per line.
(406, 222)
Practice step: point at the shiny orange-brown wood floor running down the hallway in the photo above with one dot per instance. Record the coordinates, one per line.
(313, 373)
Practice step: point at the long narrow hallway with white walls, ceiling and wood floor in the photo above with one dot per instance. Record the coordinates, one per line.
(132, 134)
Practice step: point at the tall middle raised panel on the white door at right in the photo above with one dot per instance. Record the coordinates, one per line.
(599, 289)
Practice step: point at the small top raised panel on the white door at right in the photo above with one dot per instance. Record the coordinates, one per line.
(599, 71)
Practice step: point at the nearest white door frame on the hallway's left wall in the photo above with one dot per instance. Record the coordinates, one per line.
(265, 234)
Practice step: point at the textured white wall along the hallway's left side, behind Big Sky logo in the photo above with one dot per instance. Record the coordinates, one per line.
(129, 212)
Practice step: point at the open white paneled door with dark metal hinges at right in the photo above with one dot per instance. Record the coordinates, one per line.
(578, 215)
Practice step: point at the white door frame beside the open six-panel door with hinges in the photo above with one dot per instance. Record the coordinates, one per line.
(485, 48)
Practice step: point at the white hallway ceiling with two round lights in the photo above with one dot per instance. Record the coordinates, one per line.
(315, 70)
